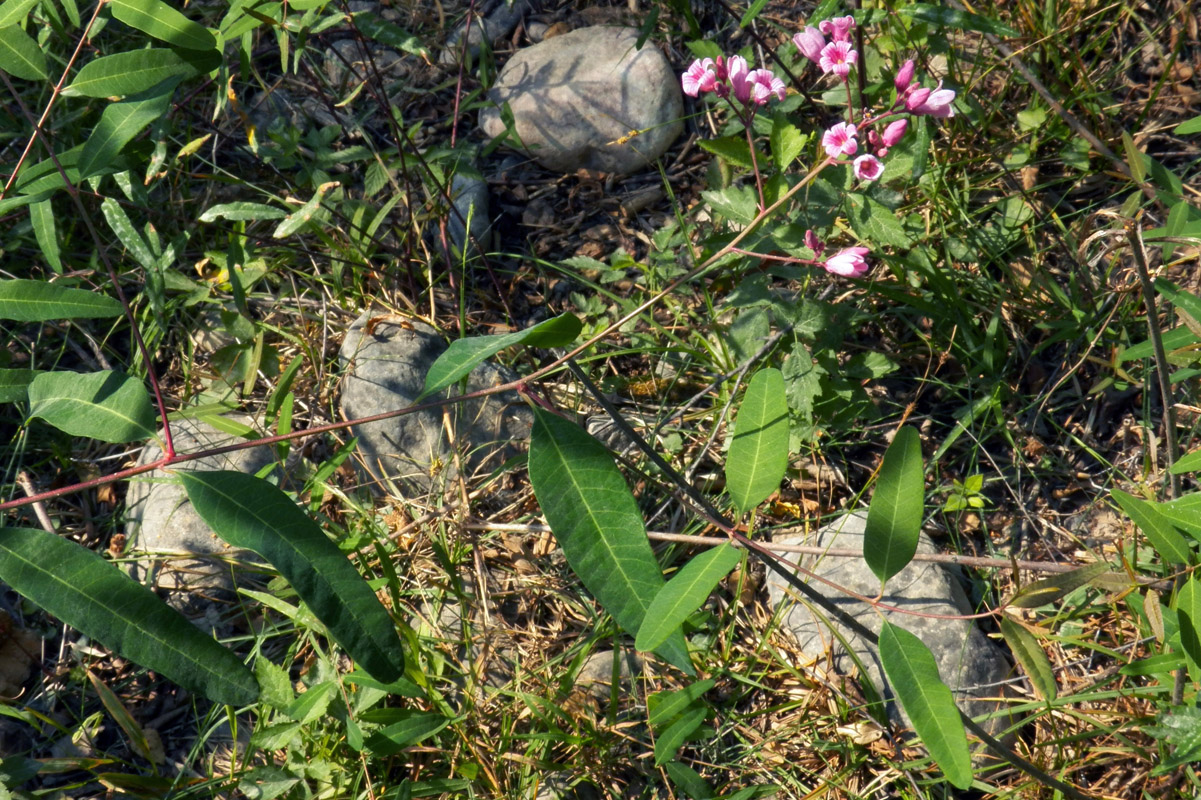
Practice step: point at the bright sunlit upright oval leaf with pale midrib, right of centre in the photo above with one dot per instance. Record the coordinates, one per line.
(758, 455)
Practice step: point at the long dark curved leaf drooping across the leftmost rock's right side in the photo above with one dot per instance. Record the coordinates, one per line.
(252, 514)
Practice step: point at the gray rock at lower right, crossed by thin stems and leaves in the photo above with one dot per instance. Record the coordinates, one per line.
(971, 664)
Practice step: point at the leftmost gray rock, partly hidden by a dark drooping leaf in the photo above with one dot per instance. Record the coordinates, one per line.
(182, 553)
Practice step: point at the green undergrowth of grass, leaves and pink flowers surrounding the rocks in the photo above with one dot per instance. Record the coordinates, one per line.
(976, 313)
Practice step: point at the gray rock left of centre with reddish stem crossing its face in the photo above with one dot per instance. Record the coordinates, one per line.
(386, 372)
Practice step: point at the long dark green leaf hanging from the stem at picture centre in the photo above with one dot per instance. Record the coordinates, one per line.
(597, 523)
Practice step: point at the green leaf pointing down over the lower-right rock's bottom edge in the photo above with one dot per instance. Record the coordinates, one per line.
(915, 678)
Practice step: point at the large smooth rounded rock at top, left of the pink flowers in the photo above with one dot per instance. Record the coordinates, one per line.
(575, 97)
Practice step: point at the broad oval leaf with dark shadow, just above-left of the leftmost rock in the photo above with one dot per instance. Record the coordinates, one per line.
(110, 407)
